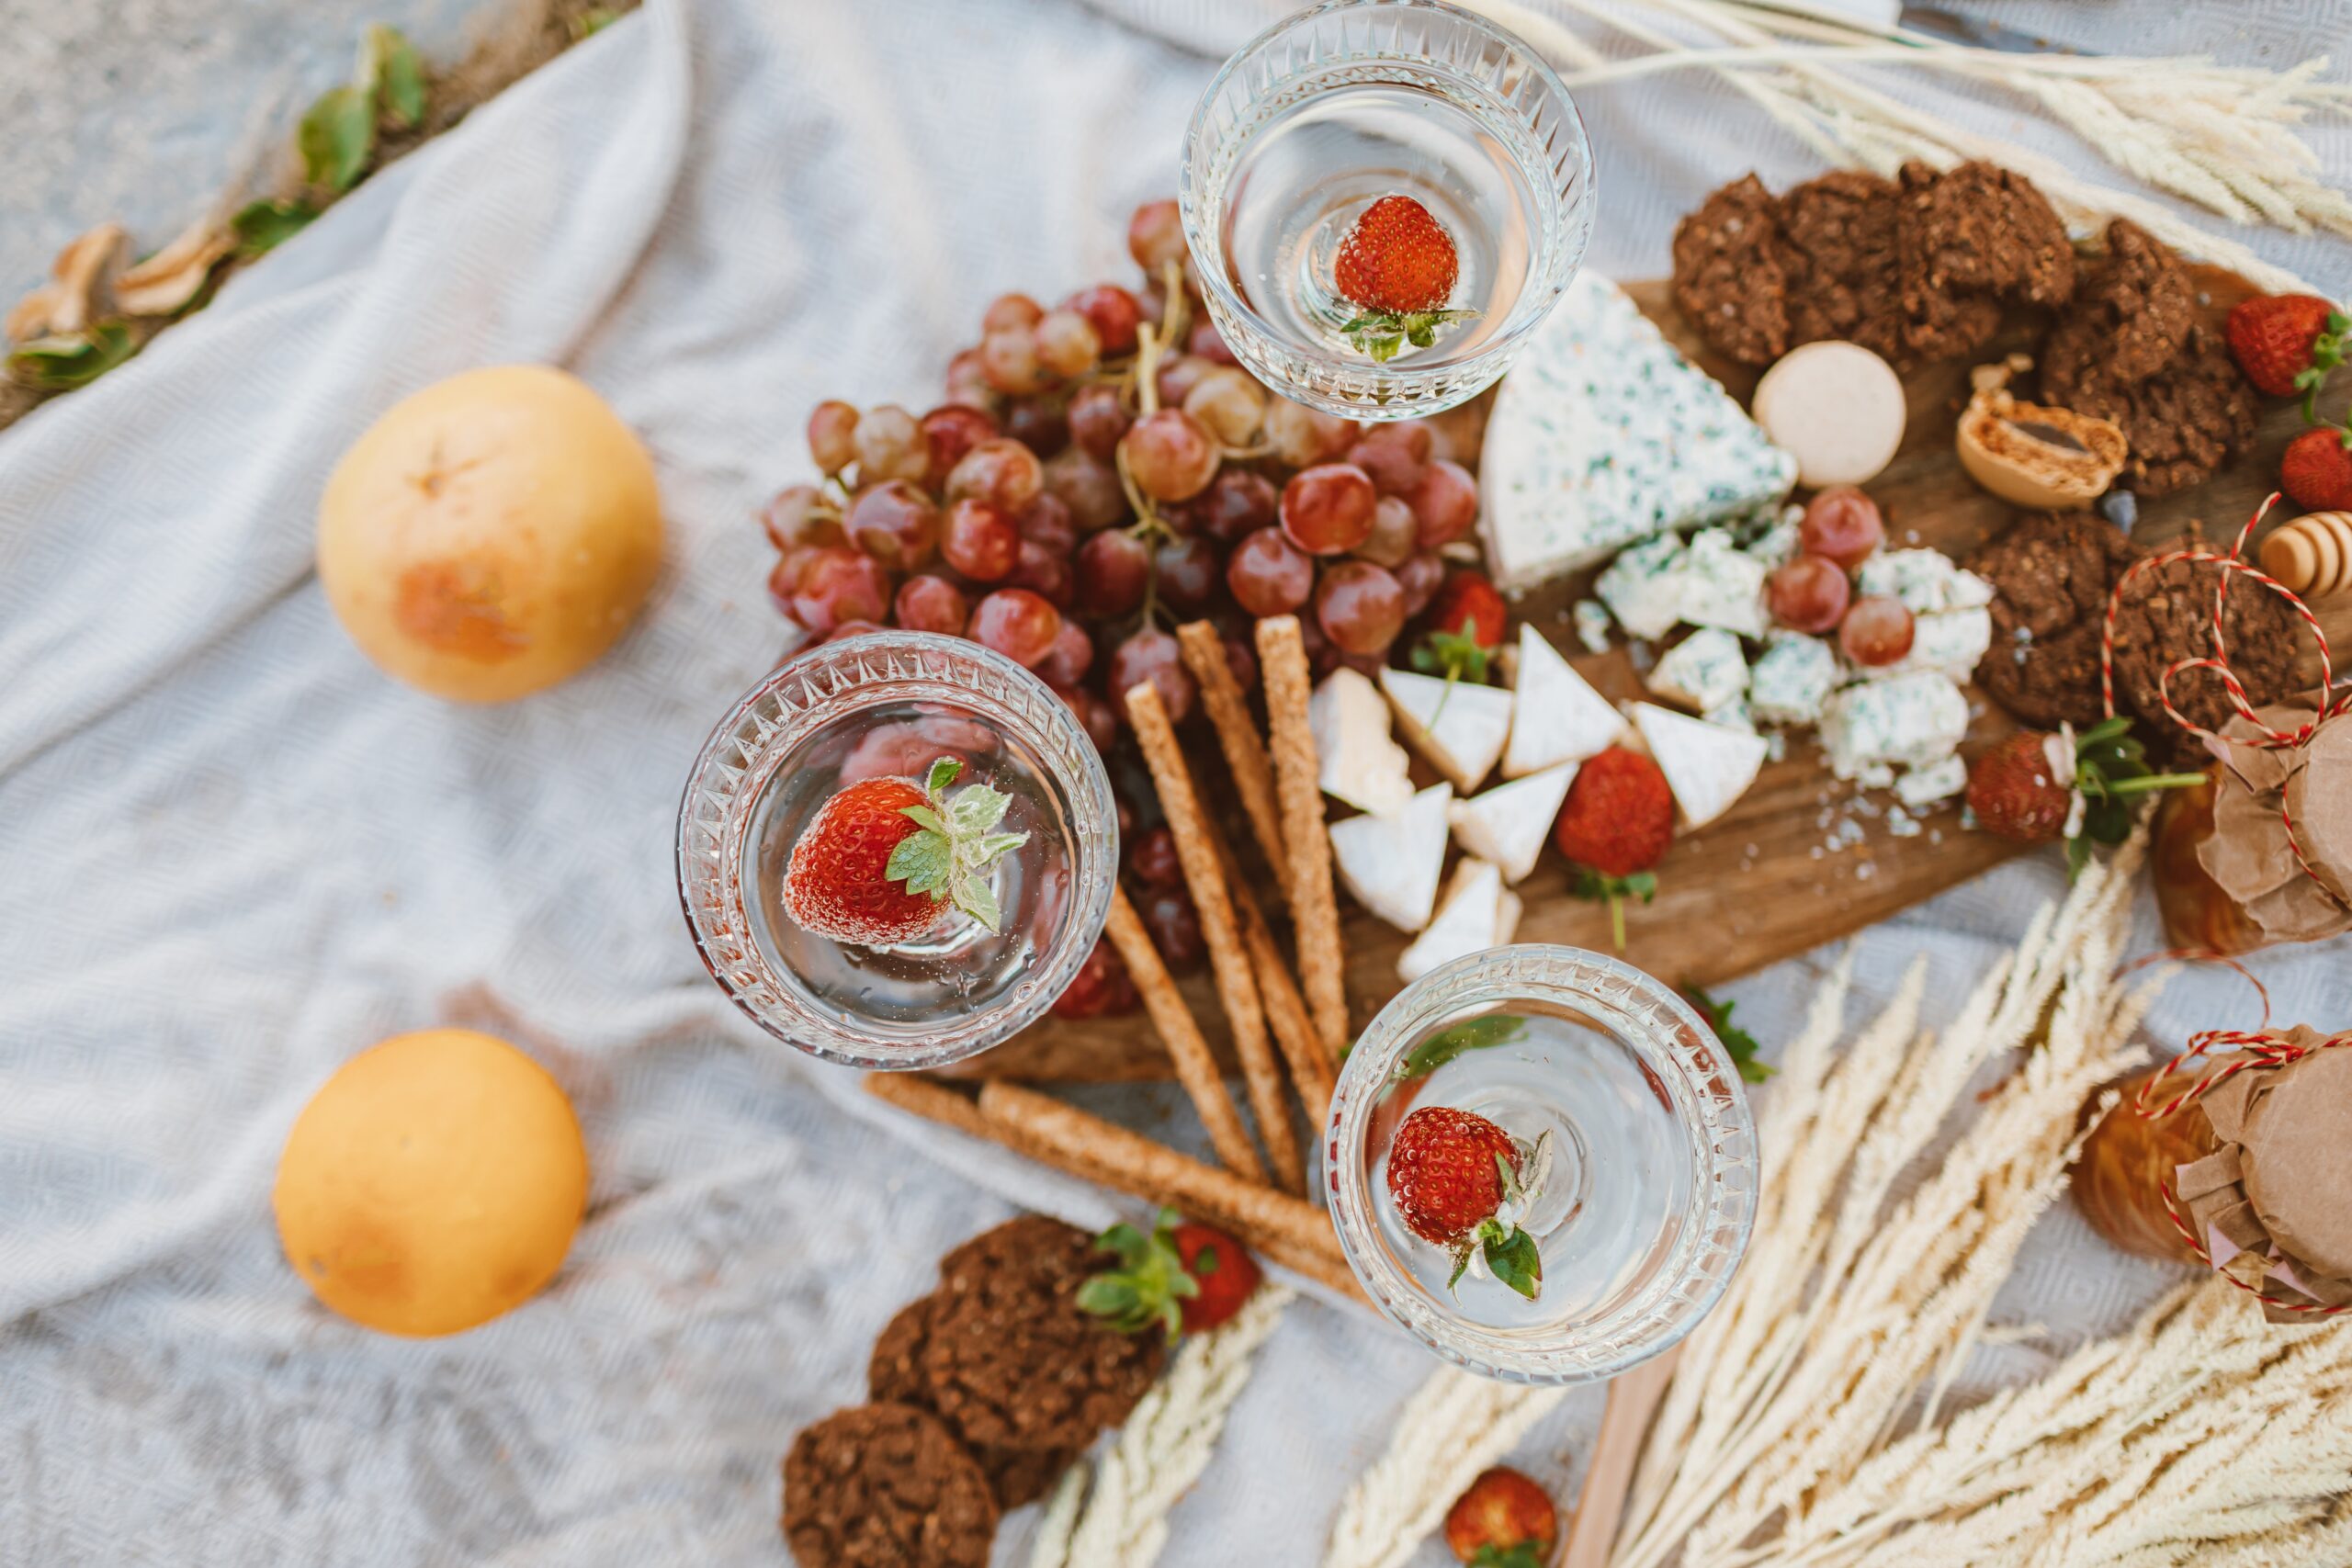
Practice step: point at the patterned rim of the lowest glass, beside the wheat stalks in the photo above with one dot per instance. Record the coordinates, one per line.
(1720, 1219)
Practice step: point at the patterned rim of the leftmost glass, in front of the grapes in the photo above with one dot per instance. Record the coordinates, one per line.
(751, 742)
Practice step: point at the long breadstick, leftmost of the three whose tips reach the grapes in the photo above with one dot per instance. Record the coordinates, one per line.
(1236, 979)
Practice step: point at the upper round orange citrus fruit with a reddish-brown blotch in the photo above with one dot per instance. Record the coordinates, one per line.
(490, 535)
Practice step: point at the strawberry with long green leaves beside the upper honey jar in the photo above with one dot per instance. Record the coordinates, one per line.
(2043, 789)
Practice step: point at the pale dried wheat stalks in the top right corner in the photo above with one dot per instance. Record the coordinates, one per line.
(2212, 135)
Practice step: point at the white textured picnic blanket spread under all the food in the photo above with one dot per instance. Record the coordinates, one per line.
(232, 855)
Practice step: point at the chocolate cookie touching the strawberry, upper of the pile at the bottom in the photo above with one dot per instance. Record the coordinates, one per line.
(1013, 1360)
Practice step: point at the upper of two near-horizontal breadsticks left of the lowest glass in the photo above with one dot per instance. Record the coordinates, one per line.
(1156, 1172)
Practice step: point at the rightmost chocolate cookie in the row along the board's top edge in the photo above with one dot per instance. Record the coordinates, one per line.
(1982, 229)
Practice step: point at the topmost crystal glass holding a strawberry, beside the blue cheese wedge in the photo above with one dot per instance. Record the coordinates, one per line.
(1382, 201)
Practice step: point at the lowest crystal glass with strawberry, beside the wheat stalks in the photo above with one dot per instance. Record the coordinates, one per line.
(1542, 1165)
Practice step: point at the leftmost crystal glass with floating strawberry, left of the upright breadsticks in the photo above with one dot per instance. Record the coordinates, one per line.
(897, 850)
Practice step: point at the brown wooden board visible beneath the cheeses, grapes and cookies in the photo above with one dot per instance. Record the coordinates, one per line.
(1775, 876)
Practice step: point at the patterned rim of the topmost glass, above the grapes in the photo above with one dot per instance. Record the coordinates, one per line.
(1535, 304)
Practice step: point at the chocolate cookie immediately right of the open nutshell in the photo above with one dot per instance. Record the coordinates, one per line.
(2184, 422)
